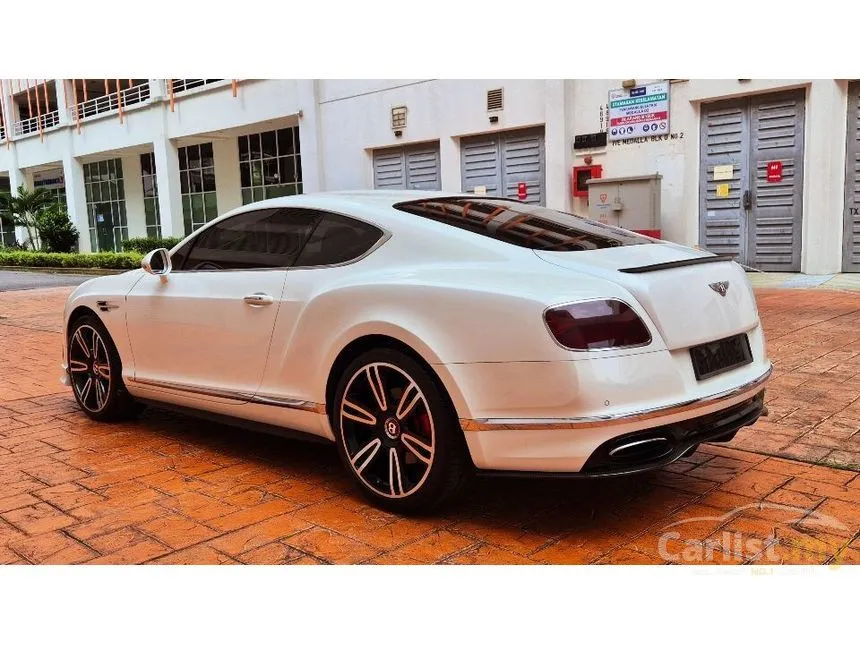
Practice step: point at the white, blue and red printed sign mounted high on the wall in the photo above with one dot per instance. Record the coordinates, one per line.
(639, 111)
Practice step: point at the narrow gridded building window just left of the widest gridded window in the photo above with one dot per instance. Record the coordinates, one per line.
(197, 181)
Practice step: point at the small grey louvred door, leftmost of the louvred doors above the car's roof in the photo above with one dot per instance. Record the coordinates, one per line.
(407, 168)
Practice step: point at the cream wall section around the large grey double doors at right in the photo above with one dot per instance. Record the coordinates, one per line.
(678, 160)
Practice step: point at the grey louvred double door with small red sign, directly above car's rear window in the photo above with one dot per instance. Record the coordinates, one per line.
(500, 161)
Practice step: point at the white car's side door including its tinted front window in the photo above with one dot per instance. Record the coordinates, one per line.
(205, 329)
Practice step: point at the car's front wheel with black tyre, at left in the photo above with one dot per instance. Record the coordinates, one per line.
(95, 370)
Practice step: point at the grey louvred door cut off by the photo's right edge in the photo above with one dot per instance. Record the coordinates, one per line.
(851, 236)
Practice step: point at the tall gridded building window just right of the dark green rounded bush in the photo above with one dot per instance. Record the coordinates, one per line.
(105, 192)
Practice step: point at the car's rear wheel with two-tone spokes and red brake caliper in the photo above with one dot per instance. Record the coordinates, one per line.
(398, 434)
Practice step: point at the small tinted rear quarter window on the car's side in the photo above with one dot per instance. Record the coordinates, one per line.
(338, 239)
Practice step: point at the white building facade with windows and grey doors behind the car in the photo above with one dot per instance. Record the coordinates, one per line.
(152, 157)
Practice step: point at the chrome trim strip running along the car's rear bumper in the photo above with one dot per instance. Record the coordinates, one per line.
(575, 423)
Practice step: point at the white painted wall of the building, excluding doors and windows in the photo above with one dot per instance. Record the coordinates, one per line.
(342, 121)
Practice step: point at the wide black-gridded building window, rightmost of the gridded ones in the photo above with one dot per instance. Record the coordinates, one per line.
(270, 164)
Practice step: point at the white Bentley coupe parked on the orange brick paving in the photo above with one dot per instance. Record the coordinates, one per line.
(430, 336)
